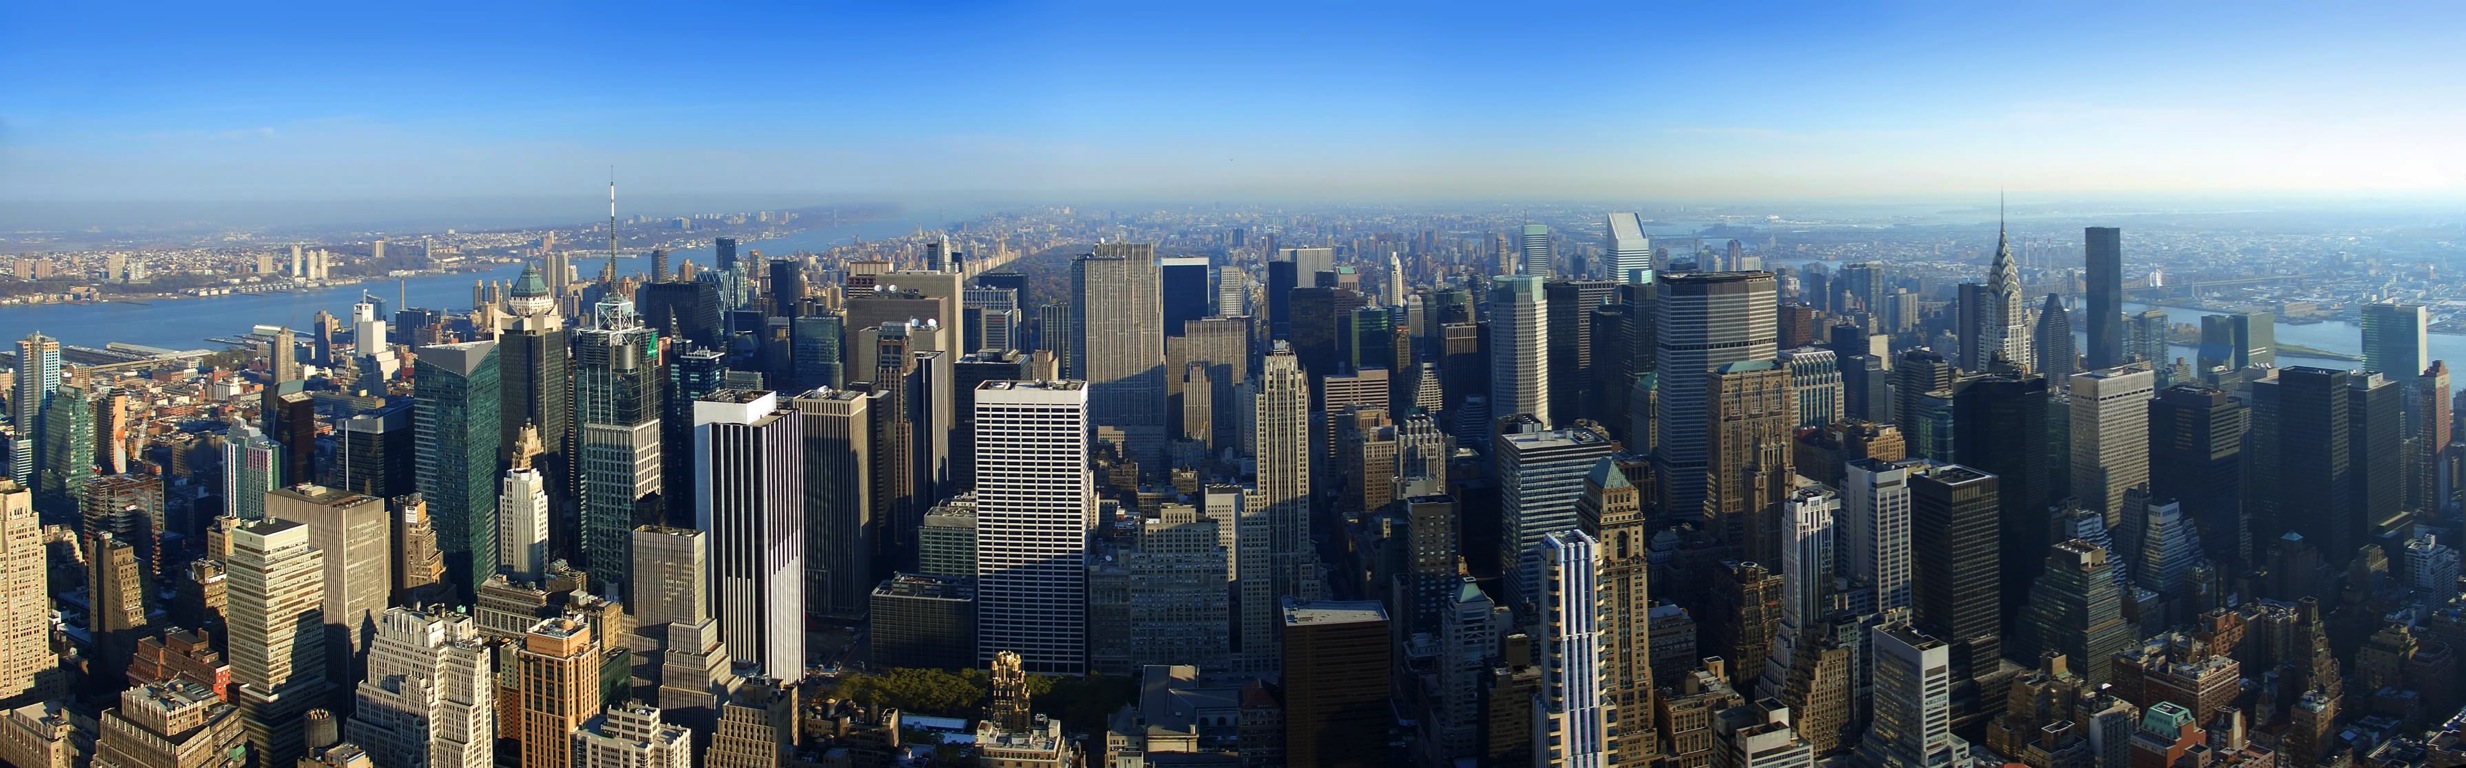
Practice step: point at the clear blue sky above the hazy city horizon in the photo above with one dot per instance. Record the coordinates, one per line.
(1254, 100)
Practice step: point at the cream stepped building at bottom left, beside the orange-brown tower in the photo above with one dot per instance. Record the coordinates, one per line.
(430, 693)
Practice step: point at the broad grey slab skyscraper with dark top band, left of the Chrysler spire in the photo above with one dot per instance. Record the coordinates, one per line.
(1708, 320)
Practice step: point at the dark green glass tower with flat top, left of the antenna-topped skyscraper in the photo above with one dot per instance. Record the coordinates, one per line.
(457, 419)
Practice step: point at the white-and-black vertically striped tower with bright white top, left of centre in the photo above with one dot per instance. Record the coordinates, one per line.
(751, 498)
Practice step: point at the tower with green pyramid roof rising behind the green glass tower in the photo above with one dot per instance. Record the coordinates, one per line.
(536, 377)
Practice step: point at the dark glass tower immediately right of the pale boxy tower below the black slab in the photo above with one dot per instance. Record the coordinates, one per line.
(2198, 458)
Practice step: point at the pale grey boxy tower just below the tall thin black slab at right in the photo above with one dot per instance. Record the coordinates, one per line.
(2110, 436)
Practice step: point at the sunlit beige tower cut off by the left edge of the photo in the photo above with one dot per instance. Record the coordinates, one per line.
(28, 666)
